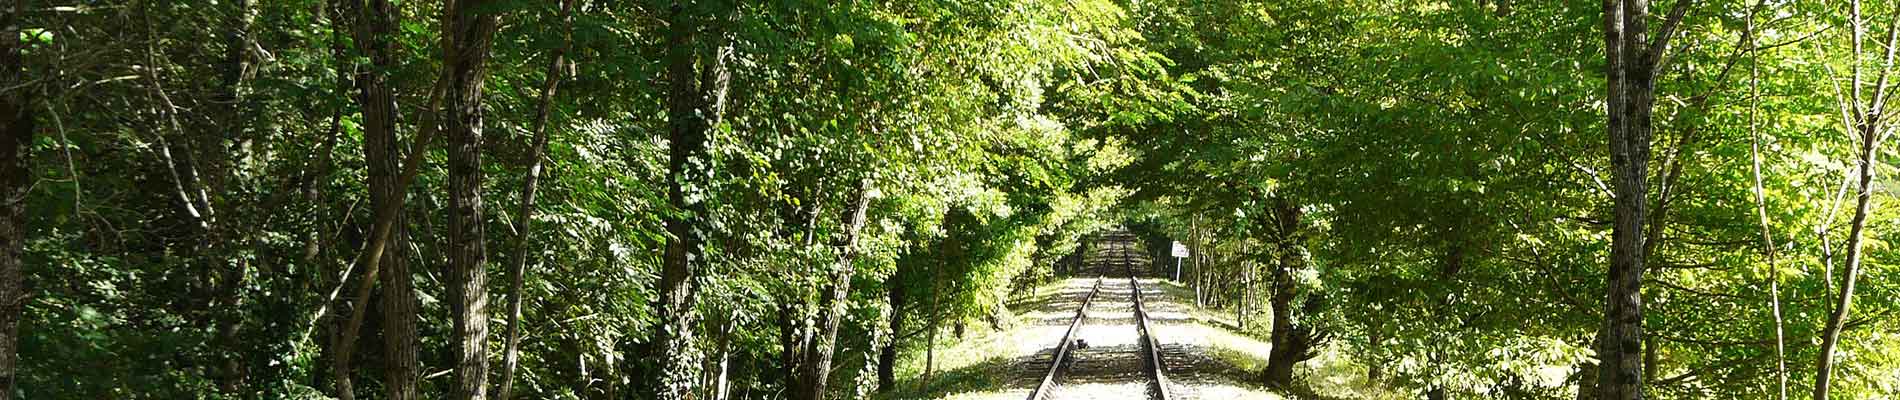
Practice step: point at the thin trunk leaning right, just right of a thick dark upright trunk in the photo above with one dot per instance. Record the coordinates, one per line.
(525, 215)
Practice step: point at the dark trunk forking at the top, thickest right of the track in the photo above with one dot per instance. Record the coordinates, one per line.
(1631, 67)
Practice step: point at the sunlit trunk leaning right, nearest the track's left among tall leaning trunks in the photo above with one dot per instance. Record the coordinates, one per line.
(816, 371)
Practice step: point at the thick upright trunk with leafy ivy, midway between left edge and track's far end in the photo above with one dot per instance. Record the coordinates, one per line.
(687, 139)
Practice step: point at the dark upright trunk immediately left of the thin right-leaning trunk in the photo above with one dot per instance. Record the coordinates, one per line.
(470, 31)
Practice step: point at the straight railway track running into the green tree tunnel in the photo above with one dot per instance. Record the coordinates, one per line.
(1109, 365)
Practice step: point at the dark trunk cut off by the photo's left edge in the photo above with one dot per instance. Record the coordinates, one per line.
(16, 137)
